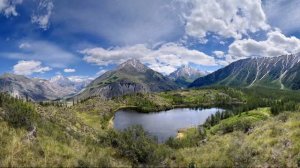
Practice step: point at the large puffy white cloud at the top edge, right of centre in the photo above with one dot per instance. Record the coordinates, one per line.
(232, 18)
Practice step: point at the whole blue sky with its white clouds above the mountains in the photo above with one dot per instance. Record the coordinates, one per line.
(43, 38)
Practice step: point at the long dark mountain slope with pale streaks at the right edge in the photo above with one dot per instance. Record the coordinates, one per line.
(281, 72)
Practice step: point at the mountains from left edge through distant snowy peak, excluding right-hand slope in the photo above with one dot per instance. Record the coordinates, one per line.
(129, 77)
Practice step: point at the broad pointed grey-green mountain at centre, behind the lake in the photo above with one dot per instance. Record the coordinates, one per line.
(130, 77)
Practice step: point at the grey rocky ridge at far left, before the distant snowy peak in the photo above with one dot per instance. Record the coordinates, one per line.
(32, 89)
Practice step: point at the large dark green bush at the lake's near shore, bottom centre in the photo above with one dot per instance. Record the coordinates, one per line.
(135, 144)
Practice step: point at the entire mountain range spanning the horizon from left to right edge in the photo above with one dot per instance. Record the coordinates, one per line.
(281, 72)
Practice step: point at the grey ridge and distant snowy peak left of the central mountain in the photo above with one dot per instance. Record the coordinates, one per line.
(35, 89)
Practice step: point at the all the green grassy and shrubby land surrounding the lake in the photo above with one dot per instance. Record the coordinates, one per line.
(81, 136)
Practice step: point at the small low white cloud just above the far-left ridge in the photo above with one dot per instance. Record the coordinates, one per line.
(29, 67)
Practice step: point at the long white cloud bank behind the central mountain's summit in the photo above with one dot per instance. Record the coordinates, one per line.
(165, 59)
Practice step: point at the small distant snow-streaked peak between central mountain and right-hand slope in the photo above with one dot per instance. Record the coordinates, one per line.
(185, 75)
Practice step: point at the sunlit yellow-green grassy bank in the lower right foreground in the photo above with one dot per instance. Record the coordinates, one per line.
(271, 141)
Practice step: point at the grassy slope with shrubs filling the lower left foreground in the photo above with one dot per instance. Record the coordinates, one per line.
(35, 136)
